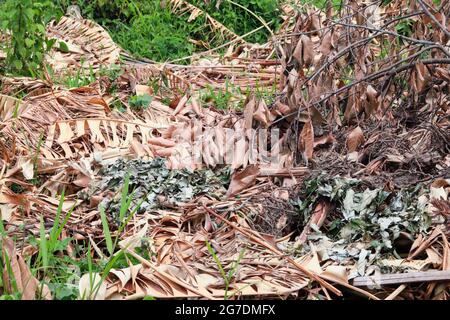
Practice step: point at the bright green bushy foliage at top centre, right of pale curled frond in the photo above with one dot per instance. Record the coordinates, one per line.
(149, 29)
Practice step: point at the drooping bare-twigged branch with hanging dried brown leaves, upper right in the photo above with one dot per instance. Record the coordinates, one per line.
(362, 64)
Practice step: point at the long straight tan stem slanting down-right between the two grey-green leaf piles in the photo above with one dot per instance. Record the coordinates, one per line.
(257, 239)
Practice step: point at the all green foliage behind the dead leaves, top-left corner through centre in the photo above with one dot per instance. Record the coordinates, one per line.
(146, 28)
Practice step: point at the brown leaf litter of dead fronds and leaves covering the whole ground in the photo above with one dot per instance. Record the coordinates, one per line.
(360, 189)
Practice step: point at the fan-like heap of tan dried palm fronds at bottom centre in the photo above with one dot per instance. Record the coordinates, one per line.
(183, 266)
